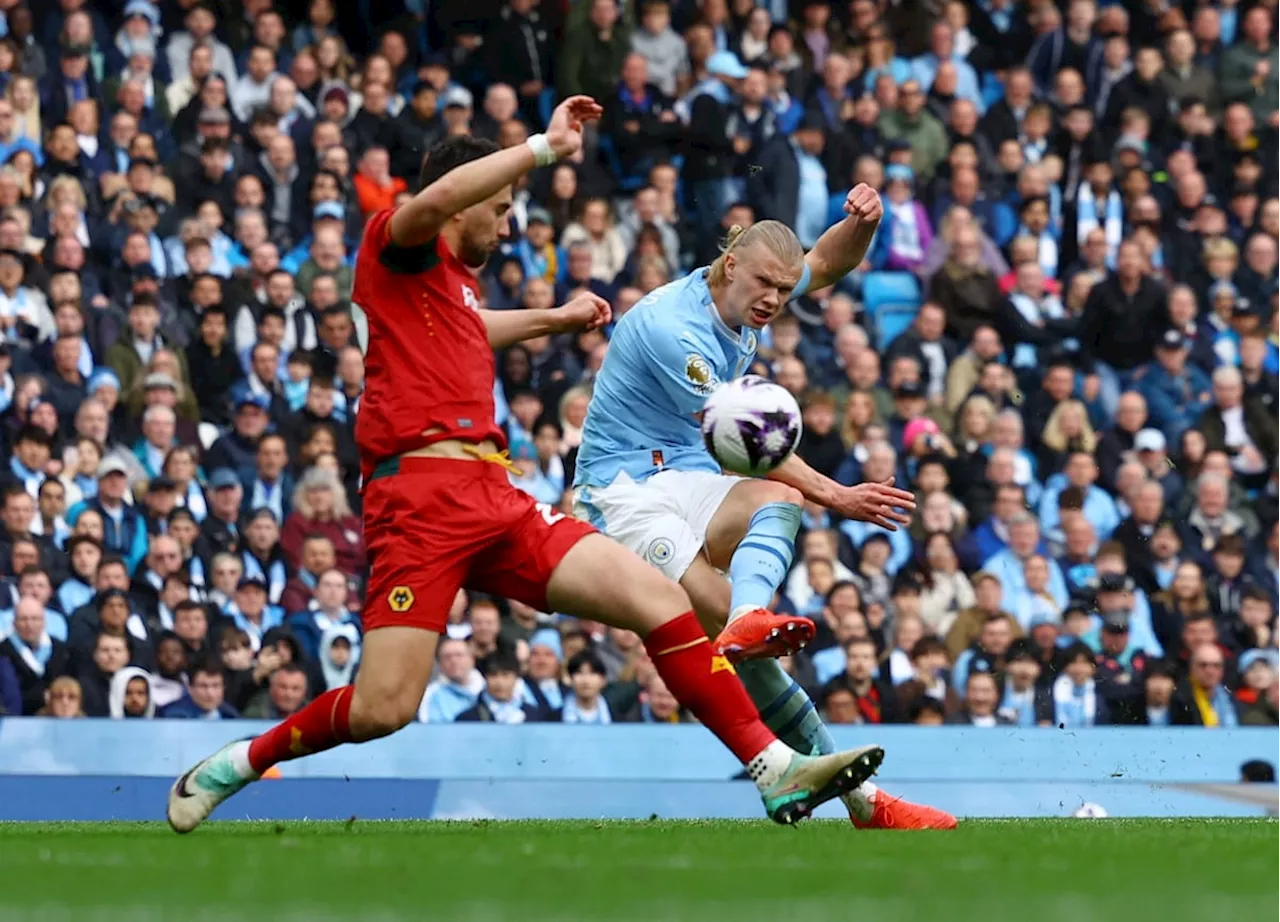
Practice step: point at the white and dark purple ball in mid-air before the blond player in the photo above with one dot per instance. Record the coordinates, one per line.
(751, 426)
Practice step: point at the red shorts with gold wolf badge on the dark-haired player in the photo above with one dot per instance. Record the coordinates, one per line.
(436, 526)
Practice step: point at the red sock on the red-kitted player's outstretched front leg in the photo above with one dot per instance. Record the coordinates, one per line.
(708, 686)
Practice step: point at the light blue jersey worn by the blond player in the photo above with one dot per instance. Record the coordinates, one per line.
(668, 354)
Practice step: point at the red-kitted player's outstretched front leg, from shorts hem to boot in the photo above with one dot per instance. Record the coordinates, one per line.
(639, 599)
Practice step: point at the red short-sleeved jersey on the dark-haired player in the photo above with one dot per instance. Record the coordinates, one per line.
(428, 362)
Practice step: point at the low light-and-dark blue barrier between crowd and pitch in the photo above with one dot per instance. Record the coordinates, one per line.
(122, 770)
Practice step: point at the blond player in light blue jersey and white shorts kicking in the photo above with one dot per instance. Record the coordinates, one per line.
(646, 478)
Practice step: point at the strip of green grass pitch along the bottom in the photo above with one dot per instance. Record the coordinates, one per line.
(1039, 871)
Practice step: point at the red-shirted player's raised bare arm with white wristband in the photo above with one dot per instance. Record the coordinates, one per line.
(422, 218)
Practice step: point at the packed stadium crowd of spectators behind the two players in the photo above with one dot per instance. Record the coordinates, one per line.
(1067, 339)
